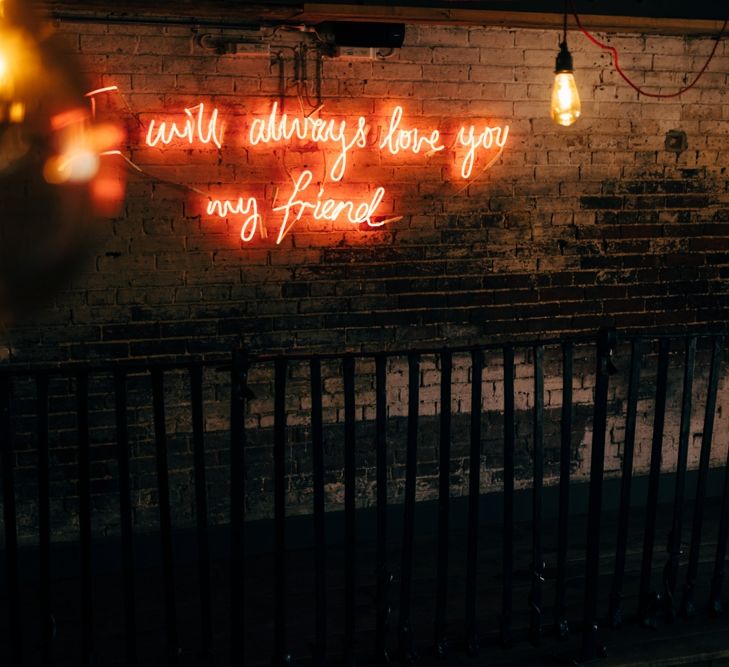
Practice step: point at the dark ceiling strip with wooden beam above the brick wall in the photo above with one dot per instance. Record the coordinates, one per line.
(675, 16)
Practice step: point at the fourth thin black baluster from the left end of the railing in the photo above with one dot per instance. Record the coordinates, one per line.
(125, 517)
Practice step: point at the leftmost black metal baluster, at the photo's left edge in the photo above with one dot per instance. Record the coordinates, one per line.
(15, 628)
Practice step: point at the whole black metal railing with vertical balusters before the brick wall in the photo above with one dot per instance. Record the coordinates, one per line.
(673, 599)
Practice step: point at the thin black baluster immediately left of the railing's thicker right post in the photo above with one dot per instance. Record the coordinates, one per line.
(565, 460)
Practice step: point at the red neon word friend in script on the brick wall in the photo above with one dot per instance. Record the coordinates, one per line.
(325, 209)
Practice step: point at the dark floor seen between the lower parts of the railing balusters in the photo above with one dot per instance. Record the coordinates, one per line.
(699, 641)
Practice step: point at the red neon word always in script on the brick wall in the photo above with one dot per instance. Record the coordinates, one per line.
(276, 128)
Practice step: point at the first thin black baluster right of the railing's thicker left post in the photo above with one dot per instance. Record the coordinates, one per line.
(281, 656)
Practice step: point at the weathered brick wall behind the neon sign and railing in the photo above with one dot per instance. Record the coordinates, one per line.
(570, 229)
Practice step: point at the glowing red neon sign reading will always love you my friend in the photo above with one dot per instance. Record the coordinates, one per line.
(309, 197)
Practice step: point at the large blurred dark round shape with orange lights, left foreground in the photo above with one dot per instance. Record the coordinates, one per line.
(54, 180)
